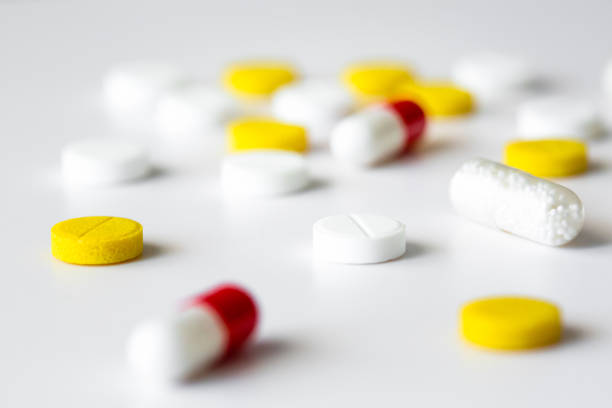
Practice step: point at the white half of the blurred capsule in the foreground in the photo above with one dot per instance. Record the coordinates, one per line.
(177, 347)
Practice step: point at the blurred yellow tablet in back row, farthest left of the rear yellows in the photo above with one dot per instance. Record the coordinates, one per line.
(257, 79)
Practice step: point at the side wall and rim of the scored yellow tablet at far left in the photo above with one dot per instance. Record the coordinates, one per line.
(102, 252)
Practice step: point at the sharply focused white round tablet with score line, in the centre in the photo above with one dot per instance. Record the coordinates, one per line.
(358, 239)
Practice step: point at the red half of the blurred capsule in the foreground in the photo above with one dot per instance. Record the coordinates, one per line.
(236, 309)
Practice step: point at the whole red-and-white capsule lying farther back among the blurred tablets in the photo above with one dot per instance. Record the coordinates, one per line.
(378, 133)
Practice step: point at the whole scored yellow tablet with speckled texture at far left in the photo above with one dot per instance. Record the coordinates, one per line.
(96, 240)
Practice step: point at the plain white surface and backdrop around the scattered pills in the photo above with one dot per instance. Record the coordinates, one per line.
(331, 335)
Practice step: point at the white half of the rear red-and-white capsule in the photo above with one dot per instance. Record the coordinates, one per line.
(369, 137)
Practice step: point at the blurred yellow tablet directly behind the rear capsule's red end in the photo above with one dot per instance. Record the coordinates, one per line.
(437, 98)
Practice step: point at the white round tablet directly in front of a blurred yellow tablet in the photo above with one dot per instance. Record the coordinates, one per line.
(264, 173)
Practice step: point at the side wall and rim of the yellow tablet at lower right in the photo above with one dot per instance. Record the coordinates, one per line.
(496, 338)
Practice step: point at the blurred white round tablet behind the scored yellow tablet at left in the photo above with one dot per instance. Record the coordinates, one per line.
(103, 162)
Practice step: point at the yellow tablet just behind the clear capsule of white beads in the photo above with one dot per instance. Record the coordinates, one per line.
(547, 157)
